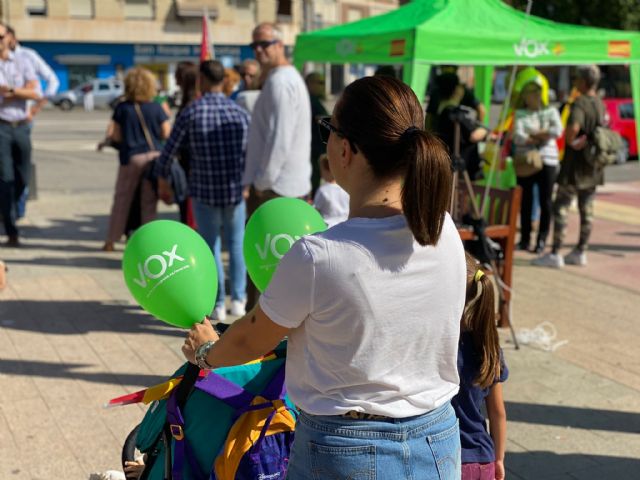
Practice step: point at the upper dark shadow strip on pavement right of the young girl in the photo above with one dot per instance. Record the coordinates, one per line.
(574, 417)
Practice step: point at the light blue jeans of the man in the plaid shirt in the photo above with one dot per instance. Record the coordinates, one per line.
(231, 220)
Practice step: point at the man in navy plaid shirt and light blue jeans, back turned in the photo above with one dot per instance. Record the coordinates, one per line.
(214, 129)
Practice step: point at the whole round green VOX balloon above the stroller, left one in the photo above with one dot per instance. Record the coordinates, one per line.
(170, 271)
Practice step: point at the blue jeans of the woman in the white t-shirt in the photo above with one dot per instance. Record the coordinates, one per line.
(337, 448)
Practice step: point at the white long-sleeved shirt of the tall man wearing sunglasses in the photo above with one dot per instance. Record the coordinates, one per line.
(279, 145)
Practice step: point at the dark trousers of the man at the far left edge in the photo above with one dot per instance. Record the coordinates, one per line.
(15, 171)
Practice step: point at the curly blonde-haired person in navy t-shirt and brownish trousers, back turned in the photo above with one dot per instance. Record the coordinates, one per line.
(137, 121)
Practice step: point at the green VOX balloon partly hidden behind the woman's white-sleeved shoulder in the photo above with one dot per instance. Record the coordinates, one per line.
(272, 230)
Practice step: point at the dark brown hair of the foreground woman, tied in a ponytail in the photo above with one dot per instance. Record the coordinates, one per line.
(383, 118)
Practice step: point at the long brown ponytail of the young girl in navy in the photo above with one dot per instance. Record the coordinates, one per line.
(479, 317)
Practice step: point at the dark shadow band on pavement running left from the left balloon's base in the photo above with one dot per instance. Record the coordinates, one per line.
(78, 317)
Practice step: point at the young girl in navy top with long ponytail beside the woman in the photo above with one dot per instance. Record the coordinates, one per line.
(482, 371)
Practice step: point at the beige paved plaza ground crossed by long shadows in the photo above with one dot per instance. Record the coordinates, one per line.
(71, 337)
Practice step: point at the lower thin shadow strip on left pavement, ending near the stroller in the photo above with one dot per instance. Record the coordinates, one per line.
(70, 371)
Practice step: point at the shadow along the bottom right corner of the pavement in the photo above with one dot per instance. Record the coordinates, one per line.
(536, 465)
